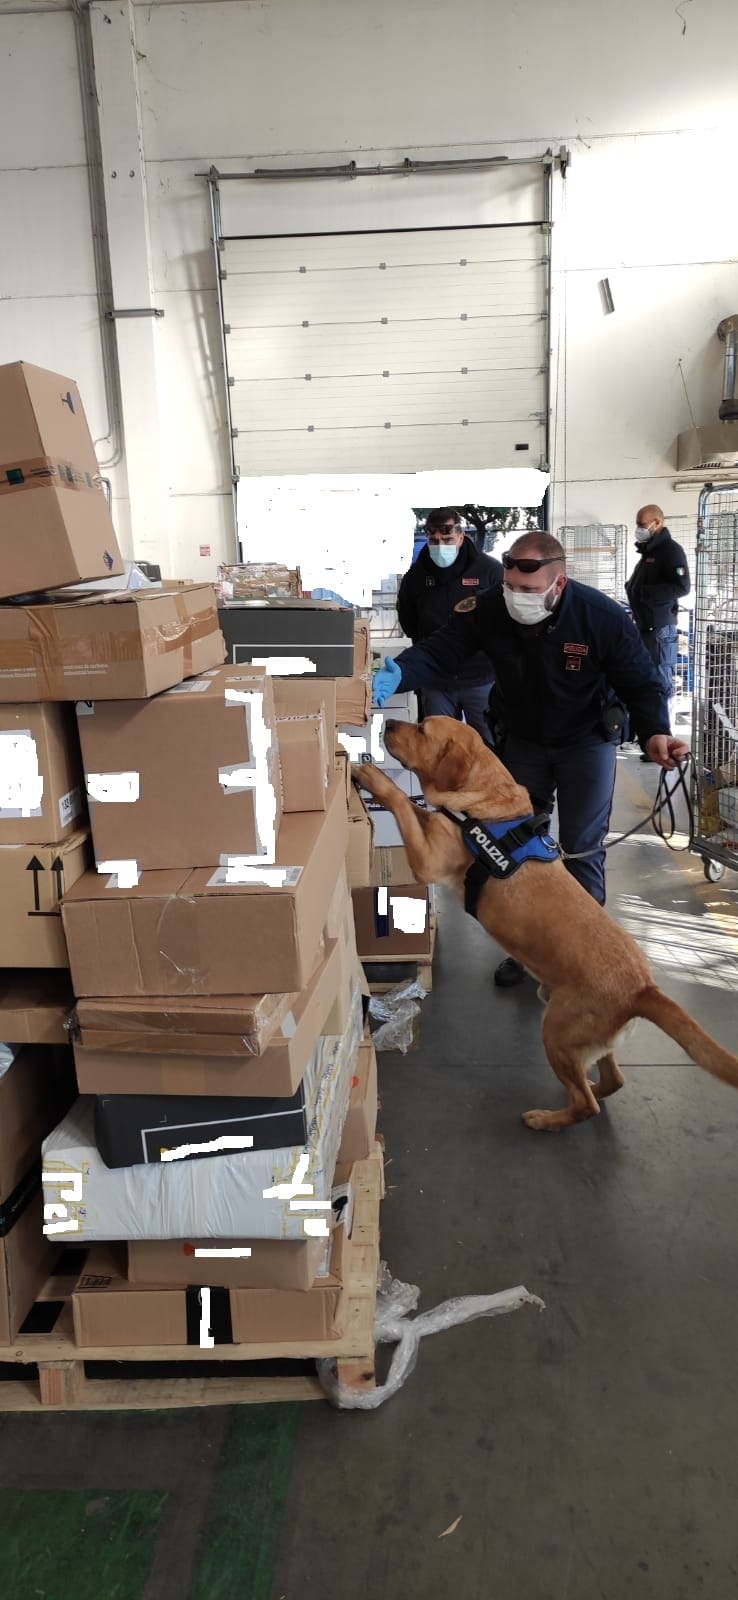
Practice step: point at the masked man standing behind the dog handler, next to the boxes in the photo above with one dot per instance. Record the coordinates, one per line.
(447, 572)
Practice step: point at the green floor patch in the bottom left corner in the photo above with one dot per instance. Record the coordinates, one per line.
(76, 1545)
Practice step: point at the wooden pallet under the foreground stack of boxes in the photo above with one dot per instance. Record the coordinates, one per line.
(65, 1385)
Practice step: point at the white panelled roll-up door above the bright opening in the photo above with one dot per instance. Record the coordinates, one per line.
(401, 351)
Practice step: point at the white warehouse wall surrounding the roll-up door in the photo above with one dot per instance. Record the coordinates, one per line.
(648, 110)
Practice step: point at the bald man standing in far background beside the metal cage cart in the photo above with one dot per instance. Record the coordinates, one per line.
(654, 590)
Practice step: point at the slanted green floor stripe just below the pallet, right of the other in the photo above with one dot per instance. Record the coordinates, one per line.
(241, 1538)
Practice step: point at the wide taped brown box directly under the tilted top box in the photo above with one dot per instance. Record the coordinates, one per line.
(124, 646)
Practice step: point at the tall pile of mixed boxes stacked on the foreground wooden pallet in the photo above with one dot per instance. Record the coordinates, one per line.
(182, 834)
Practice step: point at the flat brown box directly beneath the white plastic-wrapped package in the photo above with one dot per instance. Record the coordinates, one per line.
(273, 1265)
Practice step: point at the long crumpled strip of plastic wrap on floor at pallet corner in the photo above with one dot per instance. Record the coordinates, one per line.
(391, 1327)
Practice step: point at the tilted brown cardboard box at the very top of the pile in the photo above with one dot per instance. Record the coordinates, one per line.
(55, 526)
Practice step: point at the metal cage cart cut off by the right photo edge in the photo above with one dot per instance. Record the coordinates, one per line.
(715, 732)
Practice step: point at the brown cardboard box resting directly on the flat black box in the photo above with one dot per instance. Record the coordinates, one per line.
(278, 1073)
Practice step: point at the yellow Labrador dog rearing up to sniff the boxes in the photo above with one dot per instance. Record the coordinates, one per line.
(595, 977)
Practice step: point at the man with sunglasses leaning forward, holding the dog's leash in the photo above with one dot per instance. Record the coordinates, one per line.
(568, 666)
